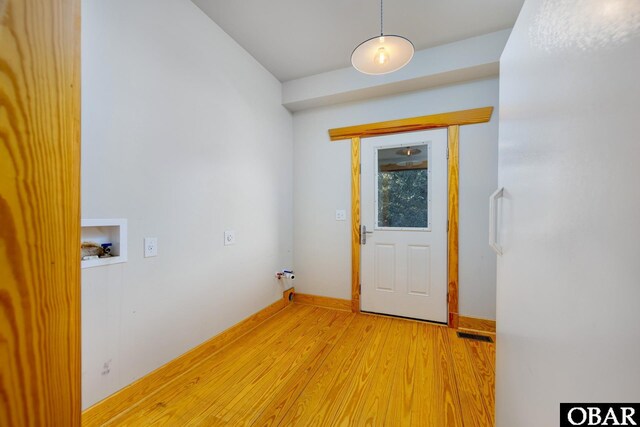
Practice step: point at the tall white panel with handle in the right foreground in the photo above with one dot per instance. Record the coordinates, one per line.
(569, 279)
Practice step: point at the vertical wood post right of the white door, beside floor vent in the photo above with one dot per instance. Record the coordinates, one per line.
(454, 165)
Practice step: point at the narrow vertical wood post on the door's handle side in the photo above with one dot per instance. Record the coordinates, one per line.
(355, 225)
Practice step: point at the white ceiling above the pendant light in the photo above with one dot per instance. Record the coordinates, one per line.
(298, 38)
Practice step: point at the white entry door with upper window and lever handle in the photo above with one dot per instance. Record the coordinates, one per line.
(404, 225)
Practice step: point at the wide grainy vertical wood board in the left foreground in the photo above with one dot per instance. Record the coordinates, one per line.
(40, 212)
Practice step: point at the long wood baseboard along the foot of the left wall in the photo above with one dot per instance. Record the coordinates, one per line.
(150, 383)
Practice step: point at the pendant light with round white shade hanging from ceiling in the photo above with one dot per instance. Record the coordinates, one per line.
(382, 54)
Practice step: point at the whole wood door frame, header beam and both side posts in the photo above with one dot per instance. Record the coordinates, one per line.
(452, 121)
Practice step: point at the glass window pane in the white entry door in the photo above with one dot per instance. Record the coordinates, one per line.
(402, 187)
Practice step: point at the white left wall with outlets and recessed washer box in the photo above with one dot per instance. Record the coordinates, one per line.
(183, 134)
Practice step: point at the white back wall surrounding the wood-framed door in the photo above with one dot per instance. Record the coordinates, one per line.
(322, 175)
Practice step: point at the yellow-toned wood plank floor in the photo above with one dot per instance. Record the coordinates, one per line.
(314, 366)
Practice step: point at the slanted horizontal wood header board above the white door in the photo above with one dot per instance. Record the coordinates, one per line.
(433, 121)
